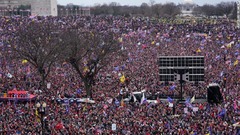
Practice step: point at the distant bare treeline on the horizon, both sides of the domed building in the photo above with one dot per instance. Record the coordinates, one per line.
(228, 9)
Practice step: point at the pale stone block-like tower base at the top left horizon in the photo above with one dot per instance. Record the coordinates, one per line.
(44, 7)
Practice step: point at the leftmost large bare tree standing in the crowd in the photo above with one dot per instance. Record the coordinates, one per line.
(38, 43)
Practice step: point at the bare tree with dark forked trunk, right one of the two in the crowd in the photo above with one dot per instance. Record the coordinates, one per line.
(88, 52)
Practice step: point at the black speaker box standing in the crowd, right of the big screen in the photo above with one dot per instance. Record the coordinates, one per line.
(213, 94)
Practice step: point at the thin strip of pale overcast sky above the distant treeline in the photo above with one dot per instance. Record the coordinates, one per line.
(135, 2)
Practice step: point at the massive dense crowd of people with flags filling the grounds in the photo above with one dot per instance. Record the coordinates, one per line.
(143, 39)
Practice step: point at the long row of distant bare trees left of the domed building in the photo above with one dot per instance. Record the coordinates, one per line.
(168, 9)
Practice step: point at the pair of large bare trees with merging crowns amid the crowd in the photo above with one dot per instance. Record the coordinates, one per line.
(43, 44)
